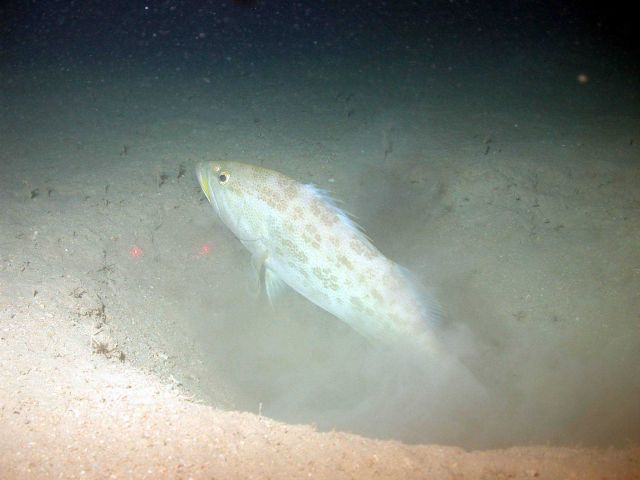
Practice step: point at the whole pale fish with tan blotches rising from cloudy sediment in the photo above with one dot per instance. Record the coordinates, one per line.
(298, 237)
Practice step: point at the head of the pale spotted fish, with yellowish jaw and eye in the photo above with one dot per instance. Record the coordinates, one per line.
(230, 188)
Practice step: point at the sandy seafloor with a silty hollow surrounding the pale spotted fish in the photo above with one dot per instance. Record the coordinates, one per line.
(512, 192)
